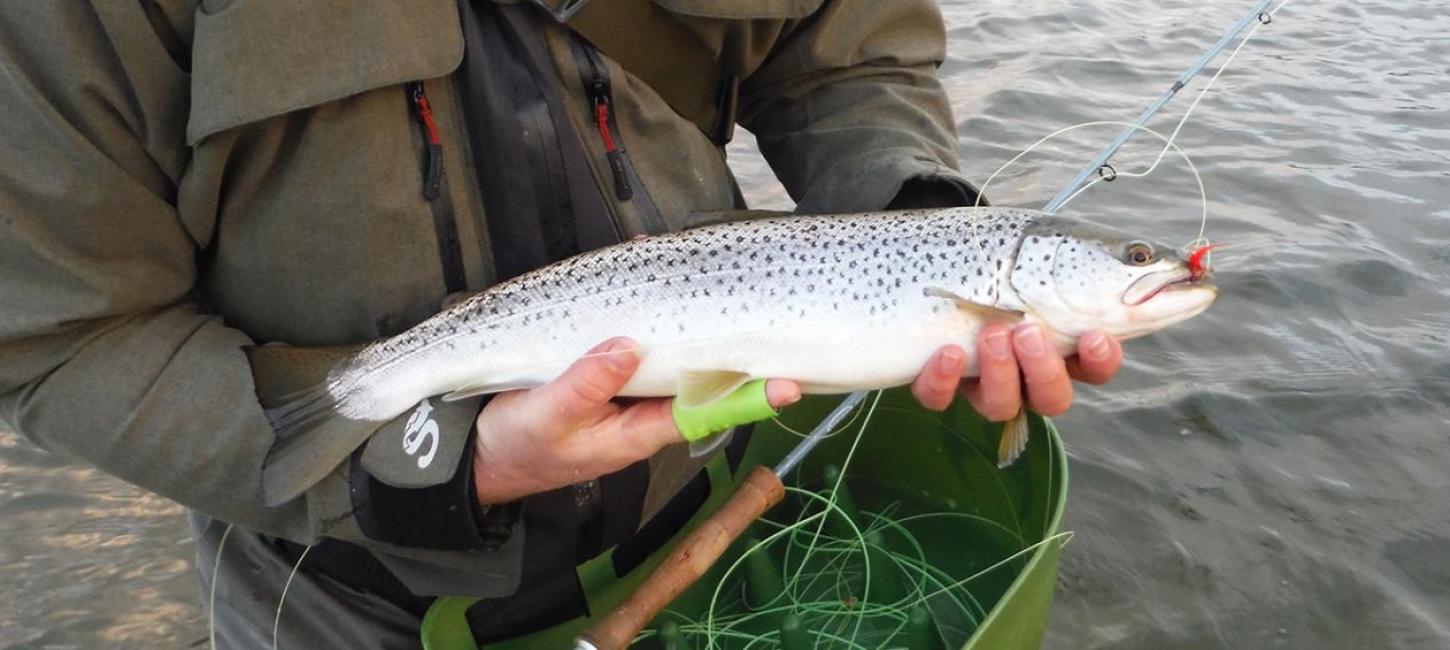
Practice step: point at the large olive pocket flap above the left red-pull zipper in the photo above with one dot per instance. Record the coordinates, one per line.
(262, 59)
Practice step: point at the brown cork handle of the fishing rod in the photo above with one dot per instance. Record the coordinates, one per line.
(688, 562)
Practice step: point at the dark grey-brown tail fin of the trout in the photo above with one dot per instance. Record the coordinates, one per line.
(312, 437)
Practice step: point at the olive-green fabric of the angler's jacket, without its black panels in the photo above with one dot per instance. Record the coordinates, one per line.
(181, 181)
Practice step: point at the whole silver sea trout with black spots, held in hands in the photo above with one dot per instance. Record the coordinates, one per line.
(836, 304)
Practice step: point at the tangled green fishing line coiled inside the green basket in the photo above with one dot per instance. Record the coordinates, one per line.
(830, 577)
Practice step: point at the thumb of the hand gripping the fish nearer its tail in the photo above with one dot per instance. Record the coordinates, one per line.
(589, 384)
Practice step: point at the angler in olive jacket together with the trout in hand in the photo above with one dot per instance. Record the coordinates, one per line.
(230, 233)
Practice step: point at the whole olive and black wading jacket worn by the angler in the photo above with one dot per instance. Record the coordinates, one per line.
(181, 181)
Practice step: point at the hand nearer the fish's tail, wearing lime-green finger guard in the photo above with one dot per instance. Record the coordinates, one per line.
(573, 430)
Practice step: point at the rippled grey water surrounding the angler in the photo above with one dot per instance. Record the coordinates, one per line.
(1274, 474)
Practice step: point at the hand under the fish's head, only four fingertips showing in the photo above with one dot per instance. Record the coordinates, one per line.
(1011, 361)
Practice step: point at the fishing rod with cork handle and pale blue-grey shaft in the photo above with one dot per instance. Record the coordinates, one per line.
(763, 488)
